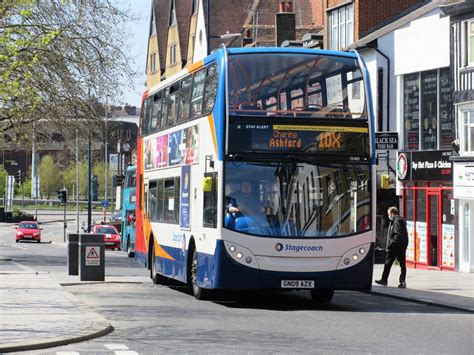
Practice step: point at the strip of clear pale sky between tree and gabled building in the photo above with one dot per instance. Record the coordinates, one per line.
(138, 43)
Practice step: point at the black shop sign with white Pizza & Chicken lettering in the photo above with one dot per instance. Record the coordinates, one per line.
(431, 166)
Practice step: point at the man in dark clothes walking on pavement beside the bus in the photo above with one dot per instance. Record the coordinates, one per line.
(397, 244)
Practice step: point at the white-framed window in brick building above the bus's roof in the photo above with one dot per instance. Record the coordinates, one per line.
(341, 27)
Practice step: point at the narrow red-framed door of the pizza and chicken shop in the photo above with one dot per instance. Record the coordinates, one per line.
(433, 216)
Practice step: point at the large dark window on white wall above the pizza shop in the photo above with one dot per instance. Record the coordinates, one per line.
(427, 112)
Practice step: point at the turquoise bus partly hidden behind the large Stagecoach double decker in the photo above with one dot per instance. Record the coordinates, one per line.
(127, 232)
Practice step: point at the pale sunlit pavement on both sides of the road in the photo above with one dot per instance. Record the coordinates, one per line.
(37, 311)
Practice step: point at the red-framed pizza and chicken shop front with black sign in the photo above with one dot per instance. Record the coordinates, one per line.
(428, 207)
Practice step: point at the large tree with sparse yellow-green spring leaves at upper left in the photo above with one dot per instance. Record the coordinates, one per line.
(59, 59)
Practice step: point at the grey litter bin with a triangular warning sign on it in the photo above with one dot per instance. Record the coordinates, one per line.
(91, 257)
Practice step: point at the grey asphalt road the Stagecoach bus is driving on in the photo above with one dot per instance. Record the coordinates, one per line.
(150, 319)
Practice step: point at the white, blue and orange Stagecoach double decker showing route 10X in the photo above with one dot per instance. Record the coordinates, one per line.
(256, 170)
